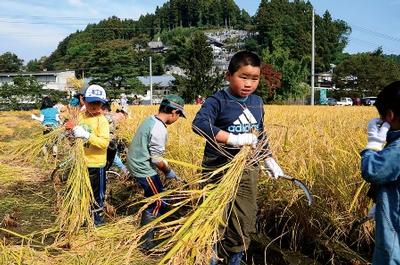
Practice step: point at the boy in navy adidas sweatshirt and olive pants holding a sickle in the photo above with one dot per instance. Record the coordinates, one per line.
(230, 117)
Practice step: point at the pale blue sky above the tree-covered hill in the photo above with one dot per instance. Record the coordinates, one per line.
(33, 28)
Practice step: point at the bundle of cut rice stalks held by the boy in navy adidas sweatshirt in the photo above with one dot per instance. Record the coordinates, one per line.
(191, 238)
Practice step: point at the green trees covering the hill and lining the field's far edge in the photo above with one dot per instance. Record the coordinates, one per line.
(114, 51)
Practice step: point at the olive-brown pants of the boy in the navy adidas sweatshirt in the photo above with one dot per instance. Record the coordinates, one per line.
(242, 220)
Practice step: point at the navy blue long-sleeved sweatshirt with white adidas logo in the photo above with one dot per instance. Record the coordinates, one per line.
(223, 111)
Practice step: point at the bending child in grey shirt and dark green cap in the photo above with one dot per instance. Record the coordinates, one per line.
(145, 157)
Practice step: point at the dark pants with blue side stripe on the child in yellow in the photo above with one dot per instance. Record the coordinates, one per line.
(98, 182)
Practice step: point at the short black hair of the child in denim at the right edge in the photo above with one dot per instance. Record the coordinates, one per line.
(389, 99)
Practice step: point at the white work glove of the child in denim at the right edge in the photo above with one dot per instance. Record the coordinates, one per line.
(377, 134)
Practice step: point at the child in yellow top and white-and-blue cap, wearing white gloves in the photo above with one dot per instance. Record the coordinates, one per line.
(94, 129)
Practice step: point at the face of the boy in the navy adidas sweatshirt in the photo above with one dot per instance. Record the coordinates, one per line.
(244, 81)
